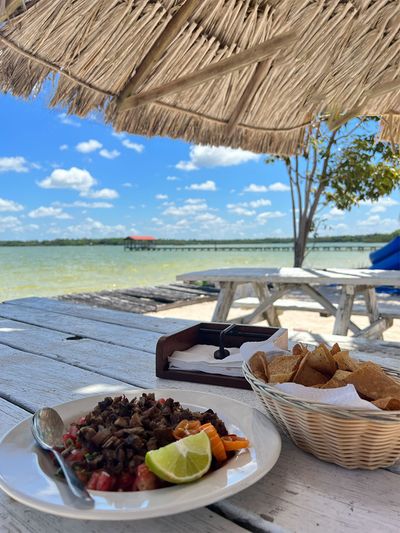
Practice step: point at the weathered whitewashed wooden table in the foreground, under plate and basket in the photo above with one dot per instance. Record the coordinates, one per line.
(53, 351)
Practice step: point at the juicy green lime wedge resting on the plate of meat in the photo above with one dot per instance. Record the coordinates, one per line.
(182, 461)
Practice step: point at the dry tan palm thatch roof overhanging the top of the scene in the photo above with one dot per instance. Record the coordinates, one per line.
(254, 74)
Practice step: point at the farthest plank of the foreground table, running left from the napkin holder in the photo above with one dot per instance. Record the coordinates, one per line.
(131, 320)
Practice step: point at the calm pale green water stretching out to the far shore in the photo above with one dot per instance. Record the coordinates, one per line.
(48, 271)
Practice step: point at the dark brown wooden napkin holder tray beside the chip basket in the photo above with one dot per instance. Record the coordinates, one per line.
(206, 333)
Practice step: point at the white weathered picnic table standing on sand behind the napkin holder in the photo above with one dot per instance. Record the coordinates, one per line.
(285, 280)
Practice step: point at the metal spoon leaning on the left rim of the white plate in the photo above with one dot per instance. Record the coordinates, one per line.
(48, 429)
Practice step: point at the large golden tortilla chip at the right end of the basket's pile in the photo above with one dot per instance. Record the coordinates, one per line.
(371, 381)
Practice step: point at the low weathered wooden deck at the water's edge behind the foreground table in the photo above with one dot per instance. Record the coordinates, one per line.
(146, 299)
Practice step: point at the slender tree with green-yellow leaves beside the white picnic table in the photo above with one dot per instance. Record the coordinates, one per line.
(341, 167)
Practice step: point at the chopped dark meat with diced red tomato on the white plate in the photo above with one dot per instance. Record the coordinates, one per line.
(107, 447)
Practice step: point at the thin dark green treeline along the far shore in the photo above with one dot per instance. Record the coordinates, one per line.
(372, 237)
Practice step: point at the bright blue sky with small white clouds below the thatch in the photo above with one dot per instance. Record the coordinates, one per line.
(65, 177)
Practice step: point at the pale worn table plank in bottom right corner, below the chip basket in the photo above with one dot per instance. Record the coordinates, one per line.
(304, 494)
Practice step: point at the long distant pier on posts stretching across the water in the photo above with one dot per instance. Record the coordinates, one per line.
(244, 248)
